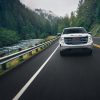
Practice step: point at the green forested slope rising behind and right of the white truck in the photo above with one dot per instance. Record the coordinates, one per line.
(87, 15)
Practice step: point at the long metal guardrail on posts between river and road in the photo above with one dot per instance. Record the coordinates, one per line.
(20, 54)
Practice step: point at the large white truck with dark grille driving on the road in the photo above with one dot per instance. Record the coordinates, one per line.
(75, 39)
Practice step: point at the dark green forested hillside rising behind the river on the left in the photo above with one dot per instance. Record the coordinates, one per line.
(17, 22)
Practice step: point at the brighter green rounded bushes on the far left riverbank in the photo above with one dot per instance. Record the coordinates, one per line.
(8, 37)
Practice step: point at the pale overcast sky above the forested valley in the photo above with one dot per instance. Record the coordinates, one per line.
(59, 7)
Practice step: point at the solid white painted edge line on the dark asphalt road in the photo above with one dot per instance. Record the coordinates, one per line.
(20, 93)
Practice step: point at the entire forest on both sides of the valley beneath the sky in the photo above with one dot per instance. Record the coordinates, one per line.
(17, 22)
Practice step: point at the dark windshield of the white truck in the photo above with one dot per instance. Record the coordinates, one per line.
(74, 30)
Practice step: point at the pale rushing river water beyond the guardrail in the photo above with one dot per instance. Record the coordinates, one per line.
(22, 45)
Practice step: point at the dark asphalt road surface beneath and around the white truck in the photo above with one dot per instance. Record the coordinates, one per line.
(75, 77)
